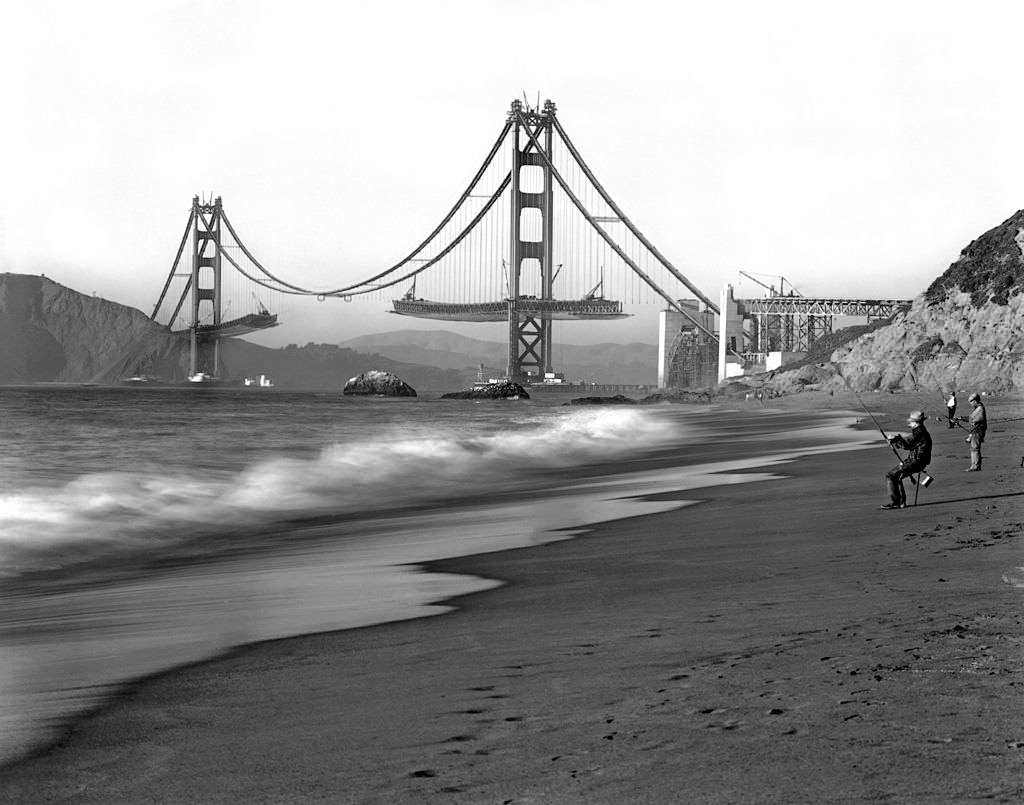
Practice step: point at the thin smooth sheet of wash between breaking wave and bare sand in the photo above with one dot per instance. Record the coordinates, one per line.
(67, 652)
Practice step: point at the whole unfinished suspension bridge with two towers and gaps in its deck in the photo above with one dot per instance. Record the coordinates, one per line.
(534, 239)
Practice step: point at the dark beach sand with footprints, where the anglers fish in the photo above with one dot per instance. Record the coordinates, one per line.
(781, 642)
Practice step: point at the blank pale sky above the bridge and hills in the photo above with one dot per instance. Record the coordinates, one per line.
(852, 149)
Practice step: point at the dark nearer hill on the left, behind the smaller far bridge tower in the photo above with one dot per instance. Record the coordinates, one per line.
(50, 333)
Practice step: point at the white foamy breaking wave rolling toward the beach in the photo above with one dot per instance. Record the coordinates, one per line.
(148, 509)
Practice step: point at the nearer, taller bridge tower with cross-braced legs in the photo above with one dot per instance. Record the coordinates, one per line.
(530, 336)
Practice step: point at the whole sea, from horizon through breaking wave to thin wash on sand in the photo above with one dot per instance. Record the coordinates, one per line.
(147, 529)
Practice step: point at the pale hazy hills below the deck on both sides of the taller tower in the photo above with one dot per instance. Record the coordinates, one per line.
(606, 363)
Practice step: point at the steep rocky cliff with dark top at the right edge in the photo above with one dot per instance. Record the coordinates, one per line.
(966, 331)
